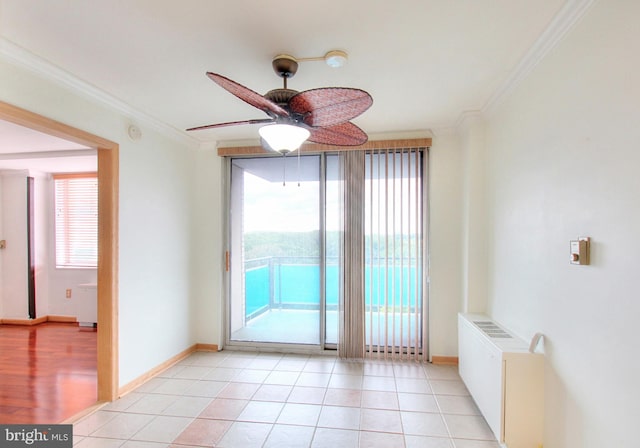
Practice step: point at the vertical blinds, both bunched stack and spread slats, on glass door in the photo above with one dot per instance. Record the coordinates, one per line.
(392, 297)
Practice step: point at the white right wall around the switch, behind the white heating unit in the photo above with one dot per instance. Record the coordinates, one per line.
(563, 162)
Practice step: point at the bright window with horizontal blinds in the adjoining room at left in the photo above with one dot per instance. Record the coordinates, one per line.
(76, 220)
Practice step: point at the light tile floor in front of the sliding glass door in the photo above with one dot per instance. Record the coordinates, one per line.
(239, 399)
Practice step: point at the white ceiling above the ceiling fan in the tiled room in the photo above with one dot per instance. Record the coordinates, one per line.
(423, 61)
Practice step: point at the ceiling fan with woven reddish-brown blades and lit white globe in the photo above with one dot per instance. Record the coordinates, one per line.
(319, 115)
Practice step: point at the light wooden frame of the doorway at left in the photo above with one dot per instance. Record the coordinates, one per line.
(108, 175)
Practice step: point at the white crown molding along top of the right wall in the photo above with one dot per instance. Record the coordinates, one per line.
(570, 13)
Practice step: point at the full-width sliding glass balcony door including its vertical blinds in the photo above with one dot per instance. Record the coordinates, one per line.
(293, 221)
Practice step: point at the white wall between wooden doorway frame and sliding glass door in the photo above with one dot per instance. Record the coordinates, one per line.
(155, 252)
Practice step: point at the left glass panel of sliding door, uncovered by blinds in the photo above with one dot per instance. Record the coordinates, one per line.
(276, 284)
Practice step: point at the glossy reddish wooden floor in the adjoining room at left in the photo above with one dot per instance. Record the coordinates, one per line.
(48, 372)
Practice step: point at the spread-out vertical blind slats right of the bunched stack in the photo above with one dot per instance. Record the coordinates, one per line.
(394, 257)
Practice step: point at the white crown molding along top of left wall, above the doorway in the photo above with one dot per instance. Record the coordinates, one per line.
(23, 58)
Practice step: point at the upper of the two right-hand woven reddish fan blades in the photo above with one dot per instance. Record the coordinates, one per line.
(330, 105)
